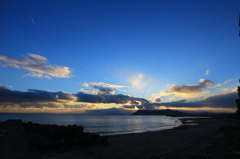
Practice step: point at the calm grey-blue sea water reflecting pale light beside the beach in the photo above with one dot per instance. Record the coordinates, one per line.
(101, 124)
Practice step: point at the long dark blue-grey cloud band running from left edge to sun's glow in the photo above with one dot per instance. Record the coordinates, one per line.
(33, 95)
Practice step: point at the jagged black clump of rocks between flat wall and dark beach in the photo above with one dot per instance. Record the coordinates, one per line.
(60, 138)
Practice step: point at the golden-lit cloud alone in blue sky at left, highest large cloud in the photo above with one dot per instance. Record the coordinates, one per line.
(38, 65)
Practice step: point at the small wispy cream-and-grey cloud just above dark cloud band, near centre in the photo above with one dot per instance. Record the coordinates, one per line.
(100, 88)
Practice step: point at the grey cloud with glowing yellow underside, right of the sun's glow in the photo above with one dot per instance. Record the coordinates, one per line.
(190, 90)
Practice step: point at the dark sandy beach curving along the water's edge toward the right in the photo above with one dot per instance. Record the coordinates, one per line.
(196, 138)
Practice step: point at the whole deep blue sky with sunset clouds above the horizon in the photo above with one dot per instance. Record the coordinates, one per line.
(118, 56)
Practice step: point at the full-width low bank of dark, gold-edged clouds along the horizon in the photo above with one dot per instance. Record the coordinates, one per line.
(39, 99)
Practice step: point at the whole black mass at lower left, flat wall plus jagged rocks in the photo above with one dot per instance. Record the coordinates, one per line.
(27, 140)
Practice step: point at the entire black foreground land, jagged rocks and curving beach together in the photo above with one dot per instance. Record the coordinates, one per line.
(197, 138)
